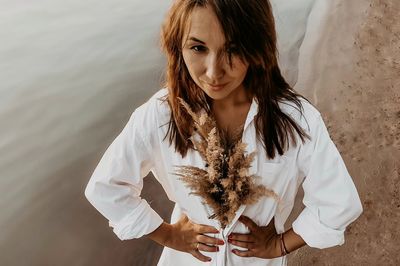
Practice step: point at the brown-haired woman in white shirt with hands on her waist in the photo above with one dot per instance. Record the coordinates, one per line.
(222, 58)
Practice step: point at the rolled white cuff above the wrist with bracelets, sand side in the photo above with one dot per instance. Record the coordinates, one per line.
(314, 233)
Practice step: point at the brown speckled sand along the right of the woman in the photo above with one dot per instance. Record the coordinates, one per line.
(357, 90)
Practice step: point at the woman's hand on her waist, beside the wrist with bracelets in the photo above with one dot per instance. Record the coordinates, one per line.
(261, 242)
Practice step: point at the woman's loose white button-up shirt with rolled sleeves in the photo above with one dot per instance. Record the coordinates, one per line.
(330, 197)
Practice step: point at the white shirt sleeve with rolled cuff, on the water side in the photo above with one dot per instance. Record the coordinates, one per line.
(115, 185)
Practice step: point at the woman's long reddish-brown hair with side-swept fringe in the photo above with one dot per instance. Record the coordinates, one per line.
(263, 79)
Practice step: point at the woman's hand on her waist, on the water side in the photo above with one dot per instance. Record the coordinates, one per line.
(189, 237)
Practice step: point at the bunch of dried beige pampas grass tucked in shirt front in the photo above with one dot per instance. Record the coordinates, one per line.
(225, 185)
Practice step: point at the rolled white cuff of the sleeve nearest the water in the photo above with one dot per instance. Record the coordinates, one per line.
(142, 221)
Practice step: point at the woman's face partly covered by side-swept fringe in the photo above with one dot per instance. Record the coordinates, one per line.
(206, 59)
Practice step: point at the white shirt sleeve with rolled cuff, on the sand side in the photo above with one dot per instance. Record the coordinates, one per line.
(330, 197)
